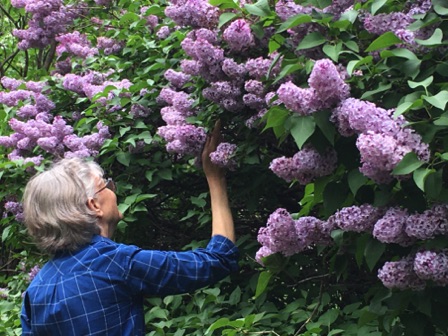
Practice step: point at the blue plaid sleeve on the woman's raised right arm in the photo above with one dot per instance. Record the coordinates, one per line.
(165, 272)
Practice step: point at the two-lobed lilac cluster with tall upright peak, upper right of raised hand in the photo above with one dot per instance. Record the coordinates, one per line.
(326, 89)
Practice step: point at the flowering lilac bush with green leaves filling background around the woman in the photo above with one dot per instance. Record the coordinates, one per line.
(334, 139)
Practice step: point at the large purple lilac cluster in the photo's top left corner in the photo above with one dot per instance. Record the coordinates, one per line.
(49, 18)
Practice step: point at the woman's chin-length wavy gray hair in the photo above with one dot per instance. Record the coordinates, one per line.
(55, 205)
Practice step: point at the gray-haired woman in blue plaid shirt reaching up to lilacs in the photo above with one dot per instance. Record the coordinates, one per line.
(92, 285)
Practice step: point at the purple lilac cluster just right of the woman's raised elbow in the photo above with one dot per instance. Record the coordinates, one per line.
(287, 236)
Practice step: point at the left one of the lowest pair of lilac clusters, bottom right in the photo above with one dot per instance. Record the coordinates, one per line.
(400, 275)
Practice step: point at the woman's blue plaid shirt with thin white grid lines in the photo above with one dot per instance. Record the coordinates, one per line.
(99, 289)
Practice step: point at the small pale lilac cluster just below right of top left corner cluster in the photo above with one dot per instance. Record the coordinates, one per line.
(75, 44)
